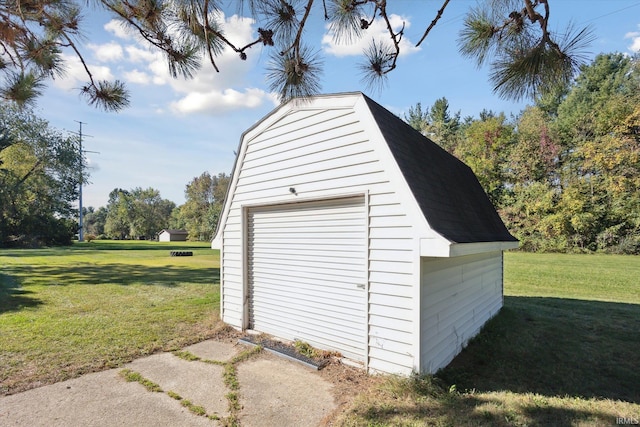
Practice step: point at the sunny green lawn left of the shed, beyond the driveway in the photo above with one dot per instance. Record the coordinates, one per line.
(91, 306)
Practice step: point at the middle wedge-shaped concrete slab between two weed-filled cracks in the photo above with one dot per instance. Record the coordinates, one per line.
(201, 383)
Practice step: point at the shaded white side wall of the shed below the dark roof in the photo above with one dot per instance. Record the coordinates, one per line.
(458, 295)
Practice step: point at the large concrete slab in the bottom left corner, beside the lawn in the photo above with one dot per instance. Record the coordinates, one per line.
(102, 399)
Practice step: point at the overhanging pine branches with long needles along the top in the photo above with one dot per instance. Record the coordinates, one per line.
(512, 36)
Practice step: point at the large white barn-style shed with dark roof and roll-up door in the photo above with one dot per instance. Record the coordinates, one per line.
(346, 228)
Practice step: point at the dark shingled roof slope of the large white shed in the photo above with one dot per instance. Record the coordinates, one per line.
(447, 191)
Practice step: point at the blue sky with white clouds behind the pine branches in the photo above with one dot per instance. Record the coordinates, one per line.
(175, 130)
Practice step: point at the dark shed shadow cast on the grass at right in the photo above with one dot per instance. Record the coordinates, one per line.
(554, 347)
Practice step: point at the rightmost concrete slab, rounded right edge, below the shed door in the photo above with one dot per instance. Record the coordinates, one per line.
(276, 392)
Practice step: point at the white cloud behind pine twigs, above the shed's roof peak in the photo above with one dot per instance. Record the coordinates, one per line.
(376, 31)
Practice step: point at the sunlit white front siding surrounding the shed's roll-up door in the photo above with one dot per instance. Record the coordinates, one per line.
(325, 153)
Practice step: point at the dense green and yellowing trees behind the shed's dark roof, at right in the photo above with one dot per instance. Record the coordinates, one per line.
(565, 173)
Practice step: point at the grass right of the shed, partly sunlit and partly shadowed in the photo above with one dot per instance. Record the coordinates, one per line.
(563, 351)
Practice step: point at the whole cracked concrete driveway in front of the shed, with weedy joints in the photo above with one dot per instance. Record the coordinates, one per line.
(263, 390)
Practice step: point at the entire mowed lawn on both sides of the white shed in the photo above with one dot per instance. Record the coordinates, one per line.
(565, 349)
